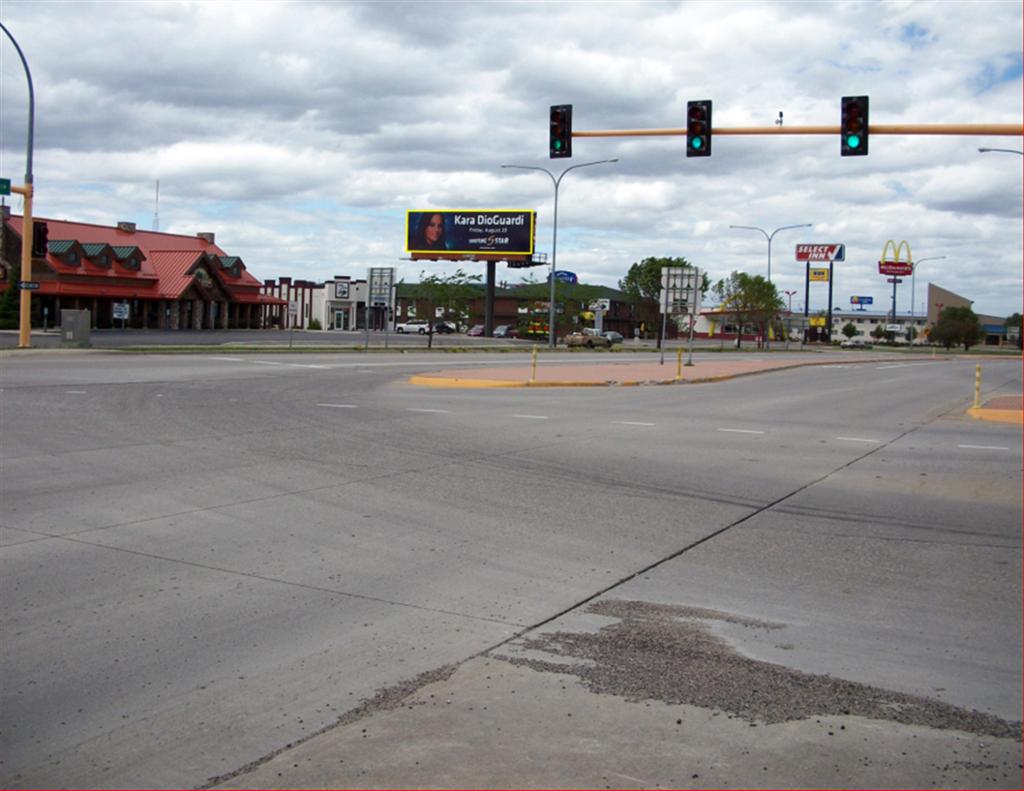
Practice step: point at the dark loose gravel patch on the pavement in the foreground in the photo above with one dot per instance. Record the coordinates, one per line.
(668, 653)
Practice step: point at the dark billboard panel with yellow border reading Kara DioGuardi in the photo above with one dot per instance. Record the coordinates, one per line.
(504, 232)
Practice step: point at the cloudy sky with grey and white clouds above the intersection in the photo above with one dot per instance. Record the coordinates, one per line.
(302, 133)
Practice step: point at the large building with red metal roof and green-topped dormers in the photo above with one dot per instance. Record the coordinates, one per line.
(169, 281)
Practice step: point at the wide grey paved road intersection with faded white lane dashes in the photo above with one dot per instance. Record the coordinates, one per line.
(211, 567)
